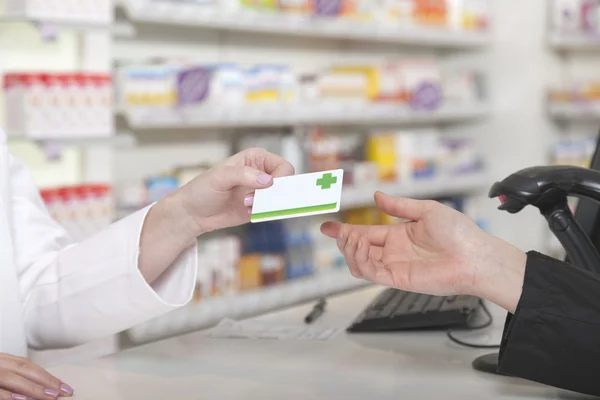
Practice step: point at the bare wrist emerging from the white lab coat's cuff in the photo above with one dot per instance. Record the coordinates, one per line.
(166, 234)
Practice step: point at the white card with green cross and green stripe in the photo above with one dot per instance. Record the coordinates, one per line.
(299, 196)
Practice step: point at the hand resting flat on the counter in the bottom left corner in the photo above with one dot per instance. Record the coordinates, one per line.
(20, 379)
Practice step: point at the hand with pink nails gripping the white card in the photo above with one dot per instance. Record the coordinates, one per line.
(223, 196)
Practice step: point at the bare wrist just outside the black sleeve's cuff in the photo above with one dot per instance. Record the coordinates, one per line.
(501, 273)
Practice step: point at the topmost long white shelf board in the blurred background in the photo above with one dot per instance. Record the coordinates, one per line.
(163, 13)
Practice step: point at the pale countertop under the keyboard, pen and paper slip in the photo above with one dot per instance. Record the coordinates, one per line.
(387, 366)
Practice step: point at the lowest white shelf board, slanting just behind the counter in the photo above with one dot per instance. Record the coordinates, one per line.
(212, 311)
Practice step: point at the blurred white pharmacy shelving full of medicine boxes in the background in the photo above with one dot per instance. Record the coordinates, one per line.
(417, 98)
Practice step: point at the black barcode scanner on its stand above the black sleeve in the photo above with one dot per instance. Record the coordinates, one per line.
(547, 188)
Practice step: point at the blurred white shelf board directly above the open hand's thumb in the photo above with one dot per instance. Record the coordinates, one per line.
(424, 189)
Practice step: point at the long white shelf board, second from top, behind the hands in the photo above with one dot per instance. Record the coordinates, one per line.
(323, 116)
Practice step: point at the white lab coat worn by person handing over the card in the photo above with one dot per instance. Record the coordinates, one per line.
(56, 294)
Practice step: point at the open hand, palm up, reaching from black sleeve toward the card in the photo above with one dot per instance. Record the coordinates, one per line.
(439, 252)
